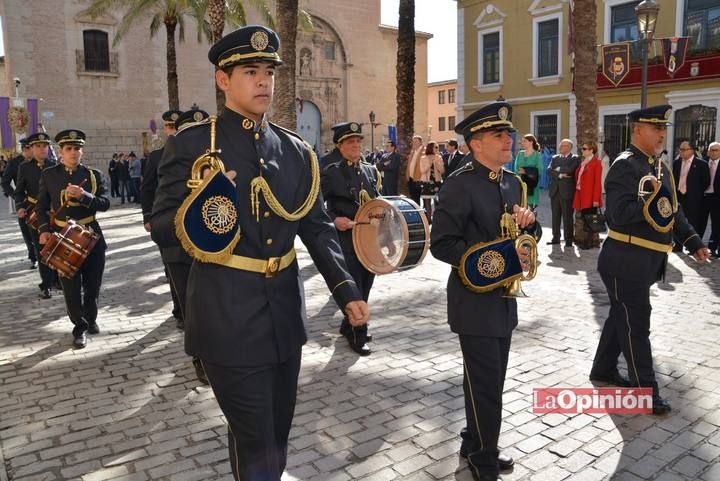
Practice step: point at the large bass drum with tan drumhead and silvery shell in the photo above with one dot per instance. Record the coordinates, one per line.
(390, 234)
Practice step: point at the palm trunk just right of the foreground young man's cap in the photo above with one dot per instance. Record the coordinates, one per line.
(284, 105)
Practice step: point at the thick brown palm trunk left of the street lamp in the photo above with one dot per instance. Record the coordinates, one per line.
(585, 82)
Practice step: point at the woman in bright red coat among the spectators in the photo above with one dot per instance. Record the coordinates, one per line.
(588, 194)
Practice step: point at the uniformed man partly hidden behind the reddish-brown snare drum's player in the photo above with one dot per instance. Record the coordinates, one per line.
(26, 198)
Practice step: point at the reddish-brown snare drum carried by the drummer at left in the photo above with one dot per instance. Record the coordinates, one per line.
(67, 250)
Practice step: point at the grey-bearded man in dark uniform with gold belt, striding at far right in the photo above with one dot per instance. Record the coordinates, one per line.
(634, 255)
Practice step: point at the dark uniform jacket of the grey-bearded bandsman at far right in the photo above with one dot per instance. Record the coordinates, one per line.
(624, 213)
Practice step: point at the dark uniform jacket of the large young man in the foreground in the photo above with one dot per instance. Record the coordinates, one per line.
(237, 317)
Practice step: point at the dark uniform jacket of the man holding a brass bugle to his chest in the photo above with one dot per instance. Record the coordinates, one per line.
(469, 210)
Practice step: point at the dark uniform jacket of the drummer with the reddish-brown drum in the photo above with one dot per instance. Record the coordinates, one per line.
(52, 195)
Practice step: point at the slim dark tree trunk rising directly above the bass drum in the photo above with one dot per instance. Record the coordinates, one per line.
(405, 86)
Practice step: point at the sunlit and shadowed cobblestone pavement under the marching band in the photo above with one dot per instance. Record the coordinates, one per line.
(128, 407)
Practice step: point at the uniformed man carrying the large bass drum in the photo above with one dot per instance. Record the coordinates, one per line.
(347, 182)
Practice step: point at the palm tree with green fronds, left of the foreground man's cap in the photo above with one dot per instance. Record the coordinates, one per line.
(170, 13)
